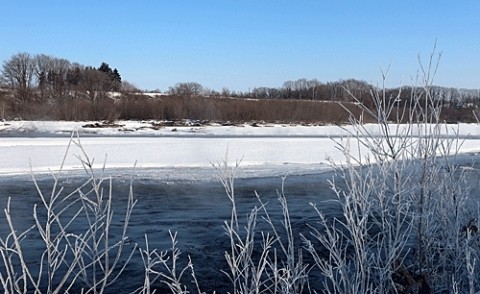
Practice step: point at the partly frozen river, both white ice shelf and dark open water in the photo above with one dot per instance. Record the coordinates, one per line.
(176, 187)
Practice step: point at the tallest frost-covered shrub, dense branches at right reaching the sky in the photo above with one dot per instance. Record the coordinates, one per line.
(408, 223)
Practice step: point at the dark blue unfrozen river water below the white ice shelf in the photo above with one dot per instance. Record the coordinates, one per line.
(195, 209)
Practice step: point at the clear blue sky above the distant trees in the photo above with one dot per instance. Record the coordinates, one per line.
(248, 43)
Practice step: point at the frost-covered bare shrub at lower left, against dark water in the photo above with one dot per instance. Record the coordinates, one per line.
(78, 252)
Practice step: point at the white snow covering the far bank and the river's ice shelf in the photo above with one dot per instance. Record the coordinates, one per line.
(268, 148)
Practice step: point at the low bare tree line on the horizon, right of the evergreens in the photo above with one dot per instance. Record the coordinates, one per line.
(339, 91)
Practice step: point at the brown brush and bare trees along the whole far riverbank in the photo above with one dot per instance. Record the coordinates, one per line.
(36, 87)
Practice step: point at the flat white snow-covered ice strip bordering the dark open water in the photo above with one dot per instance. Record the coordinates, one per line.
(16, 154)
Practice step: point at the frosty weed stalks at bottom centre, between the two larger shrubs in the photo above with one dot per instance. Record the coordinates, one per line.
(265, 261)
